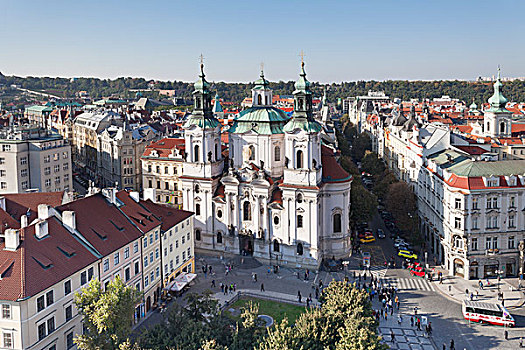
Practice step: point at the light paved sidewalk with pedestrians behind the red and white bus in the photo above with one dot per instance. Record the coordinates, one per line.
(455, 289)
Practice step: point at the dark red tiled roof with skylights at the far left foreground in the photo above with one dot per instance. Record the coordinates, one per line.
(25, 275)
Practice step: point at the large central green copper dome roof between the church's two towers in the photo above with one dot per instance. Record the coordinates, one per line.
(262, 120)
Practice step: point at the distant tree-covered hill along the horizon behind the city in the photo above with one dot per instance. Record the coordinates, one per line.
(236, 92)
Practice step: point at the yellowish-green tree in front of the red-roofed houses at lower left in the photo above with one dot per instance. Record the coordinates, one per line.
(106, 314)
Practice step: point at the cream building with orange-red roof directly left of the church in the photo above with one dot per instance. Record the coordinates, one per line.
(162, 168)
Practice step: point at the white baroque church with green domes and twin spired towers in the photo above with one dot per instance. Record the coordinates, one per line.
(275, 191)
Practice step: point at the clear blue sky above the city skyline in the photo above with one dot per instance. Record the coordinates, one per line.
(343, 40)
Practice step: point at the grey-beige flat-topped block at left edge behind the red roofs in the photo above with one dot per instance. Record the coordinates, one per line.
(32, 158)
